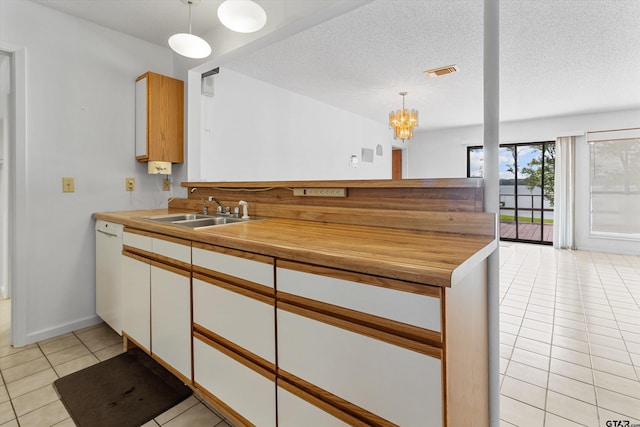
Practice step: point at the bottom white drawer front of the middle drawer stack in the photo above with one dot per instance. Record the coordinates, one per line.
(247, 392)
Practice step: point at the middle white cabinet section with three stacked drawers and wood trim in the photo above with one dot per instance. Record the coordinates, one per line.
(234, 345)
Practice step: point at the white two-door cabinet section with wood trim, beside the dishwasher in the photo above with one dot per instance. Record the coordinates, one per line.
(157, 297)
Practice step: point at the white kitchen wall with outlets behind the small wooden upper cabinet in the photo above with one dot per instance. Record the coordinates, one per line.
(80, 81)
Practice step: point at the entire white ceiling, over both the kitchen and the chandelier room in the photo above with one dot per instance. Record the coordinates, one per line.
(557, 57)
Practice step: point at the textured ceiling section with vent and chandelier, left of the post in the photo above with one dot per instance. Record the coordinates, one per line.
(361, 60)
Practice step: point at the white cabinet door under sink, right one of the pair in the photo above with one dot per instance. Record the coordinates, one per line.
(171, 316)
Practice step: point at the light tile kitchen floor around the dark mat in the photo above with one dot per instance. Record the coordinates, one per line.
(27, 396)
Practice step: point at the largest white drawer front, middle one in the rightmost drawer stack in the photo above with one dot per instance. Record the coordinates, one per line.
(397, 384)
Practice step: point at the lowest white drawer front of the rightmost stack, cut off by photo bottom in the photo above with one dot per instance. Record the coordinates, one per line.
(295, 412)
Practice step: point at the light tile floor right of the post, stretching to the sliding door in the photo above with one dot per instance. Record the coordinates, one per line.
(569, 337)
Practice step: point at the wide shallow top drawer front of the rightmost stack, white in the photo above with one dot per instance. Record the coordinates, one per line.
(418, 310)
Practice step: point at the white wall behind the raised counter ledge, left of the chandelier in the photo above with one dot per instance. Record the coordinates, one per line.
(256, 131)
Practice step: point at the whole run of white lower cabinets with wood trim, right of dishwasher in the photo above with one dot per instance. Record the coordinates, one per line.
(315, 347)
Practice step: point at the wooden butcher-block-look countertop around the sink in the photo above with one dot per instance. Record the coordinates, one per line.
(418, 256)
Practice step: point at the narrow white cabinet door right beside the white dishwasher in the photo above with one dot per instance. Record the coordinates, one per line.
(137, 299)
